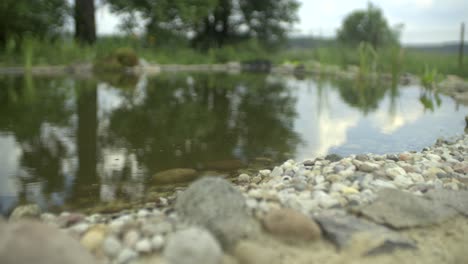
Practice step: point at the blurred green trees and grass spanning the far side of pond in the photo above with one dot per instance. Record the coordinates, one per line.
(208, 31)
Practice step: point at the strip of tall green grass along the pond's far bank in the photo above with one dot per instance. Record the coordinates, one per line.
(33, 52)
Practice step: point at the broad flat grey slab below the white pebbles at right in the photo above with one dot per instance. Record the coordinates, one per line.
(400, 209)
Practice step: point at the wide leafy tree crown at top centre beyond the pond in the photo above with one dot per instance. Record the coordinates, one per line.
(215, 23)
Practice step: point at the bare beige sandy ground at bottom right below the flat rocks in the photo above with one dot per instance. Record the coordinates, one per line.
(444, 243)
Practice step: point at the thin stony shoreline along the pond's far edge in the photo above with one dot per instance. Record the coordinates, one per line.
(452, 85)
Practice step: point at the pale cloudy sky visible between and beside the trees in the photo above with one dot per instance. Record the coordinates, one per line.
(425, 21)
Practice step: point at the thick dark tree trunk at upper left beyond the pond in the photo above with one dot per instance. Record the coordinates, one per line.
(85, 25)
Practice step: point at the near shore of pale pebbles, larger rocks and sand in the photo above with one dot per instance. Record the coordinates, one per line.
(296, 202)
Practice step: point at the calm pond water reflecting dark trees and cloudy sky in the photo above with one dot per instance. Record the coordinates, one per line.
(73, 143)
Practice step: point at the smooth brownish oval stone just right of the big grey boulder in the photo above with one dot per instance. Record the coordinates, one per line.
(291, 225)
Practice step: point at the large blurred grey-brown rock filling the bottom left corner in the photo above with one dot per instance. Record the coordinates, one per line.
(27, 241)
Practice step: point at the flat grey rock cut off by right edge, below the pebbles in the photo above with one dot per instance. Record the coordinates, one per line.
(457, 200)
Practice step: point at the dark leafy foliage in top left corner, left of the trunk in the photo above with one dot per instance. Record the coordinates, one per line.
(40, 18)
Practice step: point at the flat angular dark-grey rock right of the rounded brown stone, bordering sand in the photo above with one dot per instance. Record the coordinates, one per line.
(347, 230)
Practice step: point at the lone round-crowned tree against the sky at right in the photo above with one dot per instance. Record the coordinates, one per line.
(368, 26)
